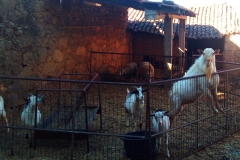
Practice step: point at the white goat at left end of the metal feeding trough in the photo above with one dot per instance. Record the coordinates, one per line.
(28, 114)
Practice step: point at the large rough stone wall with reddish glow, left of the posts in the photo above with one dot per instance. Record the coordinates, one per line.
(39, 39)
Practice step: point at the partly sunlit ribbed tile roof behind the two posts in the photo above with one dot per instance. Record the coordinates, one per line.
(210, 22)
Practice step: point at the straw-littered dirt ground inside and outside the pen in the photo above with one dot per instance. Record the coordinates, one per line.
(114, 118)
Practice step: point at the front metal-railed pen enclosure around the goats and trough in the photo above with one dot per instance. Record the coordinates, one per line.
(84, 118)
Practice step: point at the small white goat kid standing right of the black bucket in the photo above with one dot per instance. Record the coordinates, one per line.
(161, 123)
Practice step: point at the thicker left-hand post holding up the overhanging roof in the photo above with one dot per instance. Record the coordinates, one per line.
(168, 36)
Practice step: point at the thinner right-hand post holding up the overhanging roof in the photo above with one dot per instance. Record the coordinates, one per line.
(182, 30)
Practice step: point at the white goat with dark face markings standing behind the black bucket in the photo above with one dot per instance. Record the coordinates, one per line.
(134, 105)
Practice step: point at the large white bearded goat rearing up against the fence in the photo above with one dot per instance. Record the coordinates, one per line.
(188, 90)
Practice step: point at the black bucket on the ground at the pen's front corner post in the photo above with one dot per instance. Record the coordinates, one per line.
(135, 147)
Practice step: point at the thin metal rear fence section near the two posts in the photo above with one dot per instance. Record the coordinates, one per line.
(108, 64)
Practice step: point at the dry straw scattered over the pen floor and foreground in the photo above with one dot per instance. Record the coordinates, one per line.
(181, 141)
